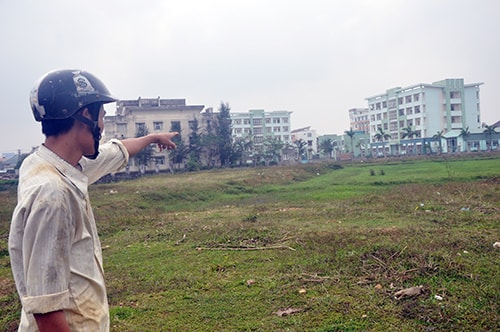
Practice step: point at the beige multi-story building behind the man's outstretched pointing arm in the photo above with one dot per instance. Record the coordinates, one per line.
(154, 115)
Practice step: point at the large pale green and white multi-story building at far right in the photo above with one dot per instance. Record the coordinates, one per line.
(413, 115)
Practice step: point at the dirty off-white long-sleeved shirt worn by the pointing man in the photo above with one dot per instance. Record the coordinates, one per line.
(54, 248)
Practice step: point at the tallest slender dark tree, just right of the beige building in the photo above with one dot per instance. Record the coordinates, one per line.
(223, 133)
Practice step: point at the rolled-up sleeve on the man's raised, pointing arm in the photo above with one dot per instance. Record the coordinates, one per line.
(112, 157)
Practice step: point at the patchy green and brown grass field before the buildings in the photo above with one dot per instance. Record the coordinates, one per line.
(315, 247)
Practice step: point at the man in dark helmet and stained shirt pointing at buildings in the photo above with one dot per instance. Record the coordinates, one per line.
(54, 248)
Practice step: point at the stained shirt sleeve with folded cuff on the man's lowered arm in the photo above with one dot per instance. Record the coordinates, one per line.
(46, 245)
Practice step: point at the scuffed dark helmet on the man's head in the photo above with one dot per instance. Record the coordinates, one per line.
(61, 93)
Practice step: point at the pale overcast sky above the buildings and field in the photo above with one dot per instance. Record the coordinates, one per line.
(316, 58)
